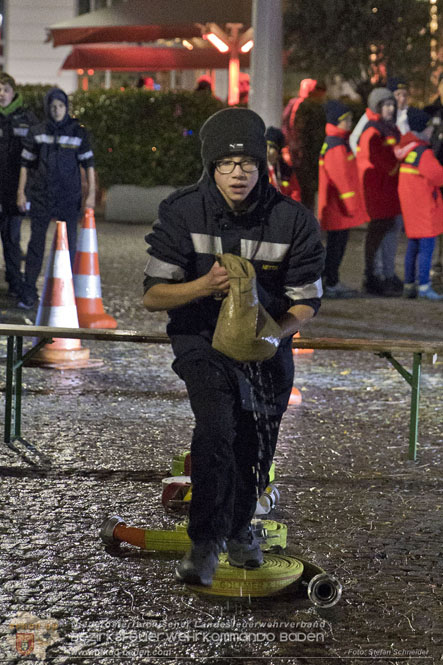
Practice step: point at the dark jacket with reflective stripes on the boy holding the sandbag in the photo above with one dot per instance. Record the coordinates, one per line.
(280, 238)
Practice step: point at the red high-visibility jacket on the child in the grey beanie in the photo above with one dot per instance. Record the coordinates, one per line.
(378, 167)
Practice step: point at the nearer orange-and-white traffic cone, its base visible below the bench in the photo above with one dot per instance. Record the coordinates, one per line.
(57, 308)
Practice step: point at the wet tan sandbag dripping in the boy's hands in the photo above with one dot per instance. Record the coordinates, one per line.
(244, 331)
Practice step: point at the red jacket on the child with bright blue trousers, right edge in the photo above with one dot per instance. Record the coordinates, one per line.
(420, 179)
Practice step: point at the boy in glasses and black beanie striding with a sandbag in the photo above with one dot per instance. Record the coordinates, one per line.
(237, 406)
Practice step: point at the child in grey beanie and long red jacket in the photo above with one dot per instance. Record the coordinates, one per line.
(378, 174)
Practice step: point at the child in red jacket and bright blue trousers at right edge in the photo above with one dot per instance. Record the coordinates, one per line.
(420, 179)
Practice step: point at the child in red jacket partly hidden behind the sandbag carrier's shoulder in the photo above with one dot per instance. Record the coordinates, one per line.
(281, 175)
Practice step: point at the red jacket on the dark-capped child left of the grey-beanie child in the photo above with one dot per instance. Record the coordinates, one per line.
(340, 203)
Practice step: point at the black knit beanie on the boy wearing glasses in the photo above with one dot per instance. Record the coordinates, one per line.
(233, 131)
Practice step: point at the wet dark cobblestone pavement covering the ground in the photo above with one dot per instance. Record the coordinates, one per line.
(352, 500)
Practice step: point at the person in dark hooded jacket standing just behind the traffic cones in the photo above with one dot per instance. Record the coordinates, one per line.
(54, 150)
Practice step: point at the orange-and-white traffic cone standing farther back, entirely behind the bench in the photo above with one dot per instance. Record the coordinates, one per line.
(87, 286)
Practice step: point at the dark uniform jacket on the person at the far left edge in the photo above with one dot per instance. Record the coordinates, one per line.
(15, 122)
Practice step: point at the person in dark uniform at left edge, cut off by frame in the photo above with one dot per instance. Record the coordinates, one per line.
(15, 121)
